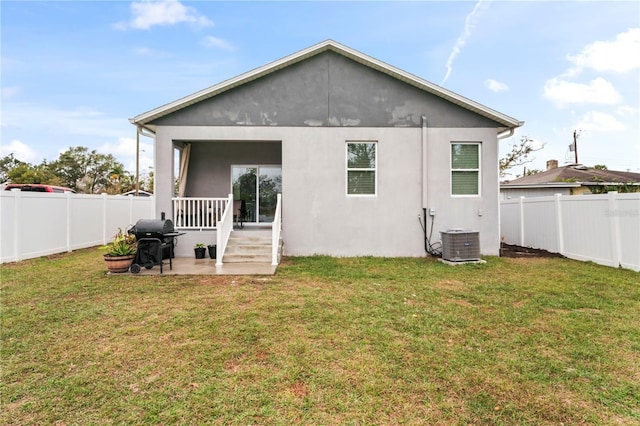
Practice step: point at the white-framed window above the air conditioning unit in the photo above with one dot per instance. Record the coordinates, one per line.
(465, 169)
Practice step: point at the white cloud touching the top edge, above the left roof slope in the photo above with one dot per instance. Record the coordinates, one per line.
(147, 14)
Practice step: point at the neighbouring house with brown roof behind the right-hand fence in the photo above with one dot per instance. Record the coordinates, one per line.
(573, 179)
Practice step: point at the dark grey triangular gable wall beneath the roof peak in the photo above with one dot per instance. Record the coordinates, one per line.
(325, 90)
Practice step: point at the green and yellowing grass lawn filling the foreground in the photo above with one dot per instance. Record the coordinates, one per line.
(324, 341)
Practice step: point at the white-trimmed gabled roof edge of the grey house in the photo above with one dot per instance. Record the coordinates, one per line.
(329, 45)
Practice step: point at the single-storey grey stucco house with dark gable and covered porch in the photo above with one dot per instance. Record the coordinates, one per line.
(359, 150)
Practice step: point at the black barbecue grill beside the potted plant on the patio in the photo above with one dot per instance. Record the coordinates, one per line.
(156, 239)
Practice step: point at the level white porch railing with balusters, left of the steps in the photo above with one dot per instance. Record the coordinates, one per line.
(198, 213)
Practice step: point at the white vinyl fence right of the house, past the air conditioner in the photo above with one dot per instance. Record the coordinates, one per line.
(601, 228)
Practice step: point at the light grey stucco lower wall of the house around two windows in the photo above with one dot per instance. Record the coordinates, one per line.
(318, 216)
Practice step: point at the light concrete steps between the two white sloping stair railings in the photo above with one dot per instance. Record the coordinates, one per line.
(249, 246)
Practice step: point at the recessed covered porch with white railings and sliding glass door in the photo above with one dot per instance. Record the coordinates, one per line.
(219, 187)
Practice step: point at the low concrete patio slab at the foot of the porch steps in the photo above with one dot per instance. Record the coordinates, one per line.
(192, 266)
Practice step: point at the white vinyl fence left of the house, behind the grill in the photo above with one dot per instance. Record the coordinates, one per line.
(34, 224)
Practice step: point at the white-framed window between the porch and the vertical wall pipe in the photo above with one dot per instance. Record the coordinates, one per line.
(361, 168)
